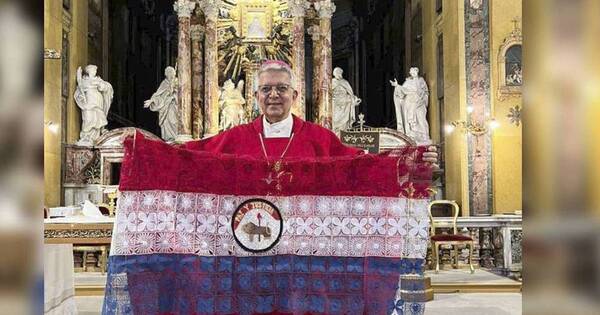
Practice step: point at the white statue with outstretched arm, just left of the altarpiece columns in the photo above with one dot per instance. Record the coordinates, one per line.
(164, 101)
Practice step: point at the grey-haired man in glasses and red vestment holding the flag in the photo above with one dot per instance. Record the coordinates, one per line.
(277, 133)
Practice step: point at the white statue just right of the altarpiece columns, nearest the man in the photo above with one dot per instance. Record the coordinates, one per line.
(344, 102)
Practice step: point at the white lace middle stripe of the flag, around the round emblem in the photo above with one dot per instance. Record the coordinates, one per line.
(149, 222)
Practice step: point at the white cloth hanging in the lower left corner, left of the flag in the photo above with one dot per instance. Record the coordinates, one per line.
(59, 287)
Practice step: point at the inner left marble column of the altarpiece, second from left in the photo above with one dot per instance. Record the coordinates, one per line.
(211, 65)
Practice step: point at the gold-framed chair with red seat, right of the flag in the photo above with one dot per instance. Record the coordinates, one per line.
(453, 239)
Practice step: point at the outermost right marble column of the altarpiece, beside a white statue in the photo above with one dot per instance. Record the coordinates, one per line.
(325, 9)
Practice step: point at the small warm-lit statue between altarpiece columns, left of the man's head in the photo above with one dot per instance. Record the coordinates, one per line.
(231, 105)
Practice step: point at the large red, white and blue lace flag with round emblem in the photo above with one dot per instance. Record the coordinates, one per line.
(199, 233)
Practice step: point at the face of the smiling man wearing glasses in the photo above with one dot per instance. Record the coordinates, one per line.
(275, 105)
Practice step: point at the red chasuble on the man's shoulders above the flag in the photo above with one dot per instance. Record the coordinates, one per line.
(309, 140)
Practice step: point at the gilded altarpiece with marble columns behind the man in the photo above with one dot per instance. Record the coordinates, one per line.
(227, 40)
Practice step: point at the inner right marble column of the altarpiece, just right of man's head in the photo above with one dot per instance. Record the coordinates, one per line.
(298, 9)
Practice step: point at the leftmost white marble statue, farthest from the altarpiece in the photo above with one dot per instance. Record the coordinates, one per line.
(94, 96)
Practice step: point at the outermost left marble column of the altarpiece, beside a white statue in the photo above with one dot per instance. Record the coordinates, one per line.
(184, 9)
